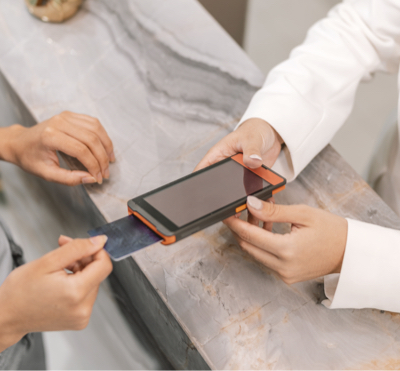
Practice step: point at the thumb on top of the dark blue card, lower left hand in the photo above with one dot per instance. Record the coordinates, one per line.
(72, 252)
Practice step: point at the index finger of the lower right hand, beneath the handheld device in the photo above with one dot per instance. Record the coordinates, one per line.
(258, 237)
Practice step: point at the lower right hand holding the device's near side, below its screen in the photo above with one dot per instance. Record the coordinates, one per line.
(314, 247)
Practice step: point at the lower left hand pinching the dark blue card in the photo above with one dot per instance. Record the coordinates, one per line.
(42, 296)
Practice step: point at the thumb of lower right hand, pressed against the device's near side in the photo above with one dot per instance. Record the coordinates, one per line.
(270, 212)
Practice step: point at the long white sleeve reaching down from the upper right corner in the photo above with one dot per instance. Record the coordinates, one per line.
(309, 96)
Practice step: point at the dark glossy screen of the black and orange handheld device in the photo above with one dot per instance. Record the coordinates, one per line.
(205, 192)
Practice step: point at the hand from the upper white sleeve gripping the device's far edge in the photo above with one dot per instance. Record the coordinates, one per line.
(255, 138)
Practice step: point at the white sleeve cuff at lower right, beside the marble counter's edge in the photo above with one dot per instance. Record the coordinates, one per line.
(370, 275)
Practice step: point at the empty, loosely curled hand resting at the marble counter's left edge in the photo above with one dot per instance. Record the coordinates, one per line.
(35, 149)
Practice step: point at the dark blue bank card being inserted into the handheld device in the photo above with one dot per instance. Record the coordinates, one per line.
(126, 236)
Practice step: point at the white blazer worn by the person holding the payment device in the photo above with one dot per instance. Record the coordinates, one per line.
(306, 99)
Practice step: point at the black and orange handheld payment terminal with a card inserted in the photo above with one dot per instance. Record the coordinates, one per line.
(196, 201)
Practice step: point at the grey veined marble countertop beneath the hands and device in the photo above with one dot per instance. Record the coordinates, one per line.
(167, 83)
